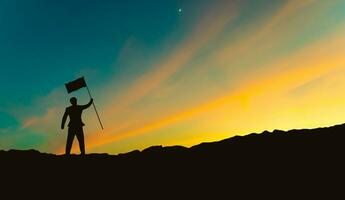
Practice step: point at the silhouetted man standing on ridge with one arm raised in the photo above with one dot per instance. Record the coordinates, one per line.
(75, 125)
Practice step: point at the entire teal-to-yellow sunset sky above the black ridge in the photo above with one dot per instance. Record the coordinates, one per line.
(175, 72)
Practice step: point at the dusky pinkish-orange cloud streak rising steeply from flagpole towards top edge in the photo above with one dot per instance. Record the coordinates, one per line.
(209, 27)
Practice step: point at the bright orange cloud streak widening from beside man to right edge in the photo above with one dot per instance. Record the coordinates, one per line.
(279, 76)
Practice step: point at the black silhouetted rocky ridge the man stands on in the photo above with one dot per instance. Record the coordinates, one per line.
(270, 164)
